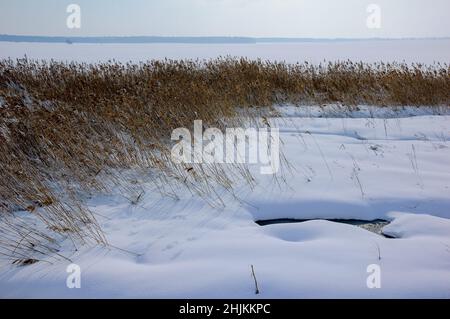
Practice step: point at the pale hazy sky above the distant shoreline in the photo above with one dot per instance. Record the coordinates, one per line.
(256, 18)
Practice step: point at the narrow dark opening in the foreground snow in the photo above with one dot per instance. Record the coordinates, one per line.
(374, 226)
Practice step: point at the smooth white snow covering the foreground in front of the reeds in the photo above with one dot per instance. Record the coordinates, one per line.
(344, 168)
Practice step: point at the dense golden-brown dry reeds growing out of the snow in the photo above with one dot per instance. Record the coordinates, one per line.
(68, 129)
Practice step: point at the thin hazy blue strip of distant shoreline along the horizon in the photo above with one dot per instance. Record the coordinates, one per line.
(186, 40)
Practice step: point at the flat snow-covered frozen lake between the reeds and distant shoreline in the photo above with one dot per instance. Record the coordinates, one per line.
(421, 51)
